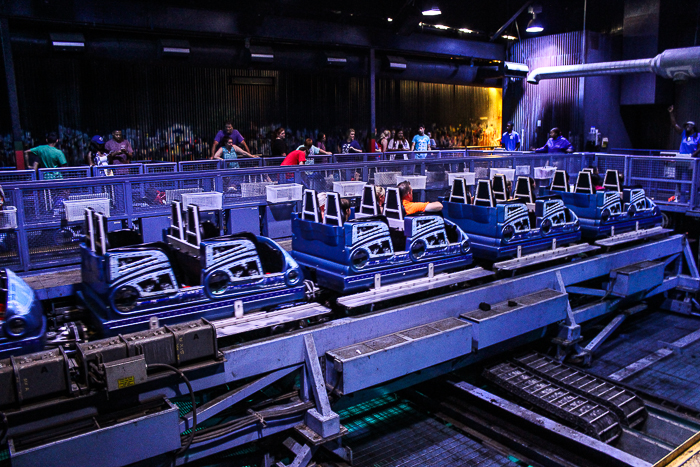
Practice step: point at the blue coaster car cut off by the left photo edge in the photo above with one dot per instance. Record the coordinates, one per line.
(22, 322)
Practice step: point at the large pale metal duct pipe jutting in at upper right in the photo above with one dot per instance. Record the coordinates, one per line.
(677, 64)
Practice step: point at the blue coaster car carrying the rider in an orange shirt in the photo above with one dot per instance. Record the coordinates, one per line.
(345, 255)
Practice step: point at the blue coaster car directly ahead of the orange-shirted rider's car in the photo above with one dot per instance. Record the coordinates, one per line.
(500, 228)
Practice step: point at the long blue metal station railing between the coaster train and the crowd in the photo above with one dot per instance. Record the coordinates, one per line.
(39, 228)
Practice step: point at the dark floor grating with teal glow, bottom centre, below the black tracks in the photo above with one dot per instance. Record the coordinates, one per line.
(388, 432)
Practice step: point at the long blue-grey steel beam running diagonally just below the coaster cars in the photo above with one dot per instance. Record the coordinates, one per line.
(260, 357)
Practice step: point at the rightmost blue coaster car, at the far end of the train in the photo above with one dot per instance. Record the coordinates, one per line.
(606, 212)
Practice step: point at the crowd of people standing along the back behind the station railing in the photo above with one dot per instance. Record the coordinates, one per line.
(230, 145)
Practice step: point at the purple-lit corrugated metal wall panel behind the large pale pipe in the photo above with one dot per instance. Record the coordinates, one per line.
(555, 102)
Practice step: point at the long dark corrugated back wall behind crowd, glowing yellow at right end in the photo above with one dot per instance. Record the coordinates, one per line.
(172, 111)
